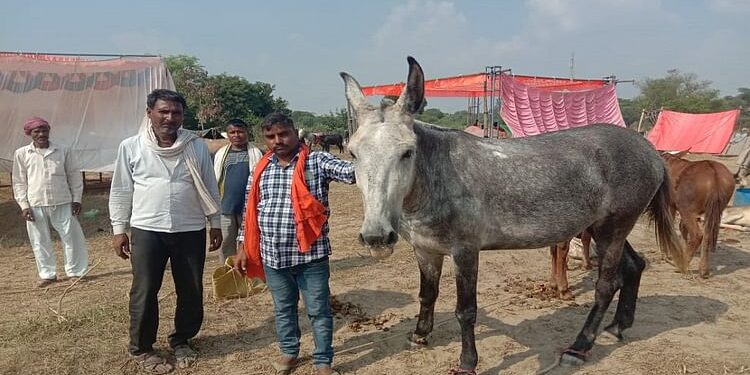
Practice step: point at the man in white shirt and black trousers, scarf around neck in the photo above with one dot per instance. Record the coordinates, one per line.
(164, 187)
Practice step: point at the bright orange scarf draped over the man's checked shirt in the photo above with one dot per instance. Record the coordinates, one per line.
(309, 213)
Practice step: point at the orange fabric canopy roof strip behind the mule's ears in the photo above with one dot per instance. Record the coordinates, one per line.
(473, 85)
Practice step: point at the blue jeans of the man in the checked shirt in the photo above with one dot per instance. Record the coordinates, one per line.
(286, 284)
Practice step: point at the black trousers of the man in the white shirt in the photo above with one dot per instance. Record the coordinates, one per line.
(148, 257)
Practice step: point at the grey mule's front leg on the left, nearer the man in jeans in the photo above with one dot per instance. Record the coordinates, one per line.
(430, 268)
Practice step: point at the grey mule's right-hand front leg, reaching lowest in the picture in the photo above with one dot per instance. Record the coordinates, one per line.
(466, 263)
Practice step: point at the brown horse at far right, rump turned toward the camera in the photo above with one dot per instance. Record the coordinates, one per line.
(699, 188)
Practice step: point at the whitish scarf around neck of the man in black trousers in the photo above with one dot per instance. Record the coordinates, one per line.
(182, 145)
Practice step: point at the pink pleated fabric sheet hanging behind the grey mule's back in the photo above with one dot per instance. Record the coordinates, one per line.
(530, 110)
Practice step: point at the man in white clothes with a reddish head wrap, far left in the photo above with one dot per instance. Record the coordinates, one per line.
(48, 186)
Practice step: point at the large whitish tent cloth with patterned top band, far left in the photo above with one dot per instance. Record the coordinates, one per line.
(91, 105)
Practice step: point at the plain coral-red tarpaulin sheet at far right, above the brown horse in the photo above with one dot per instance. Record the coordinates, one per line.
(702, 133)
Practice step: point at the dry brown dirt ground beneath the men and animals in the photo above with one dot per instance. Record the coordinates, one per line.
(684, 325)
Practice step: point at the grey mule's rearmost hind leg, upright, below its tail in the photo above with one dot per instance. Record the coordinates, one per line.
(631, 268)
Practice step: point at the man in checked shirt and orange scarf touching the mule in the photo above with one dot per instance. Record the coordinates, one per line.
(269, 227)
